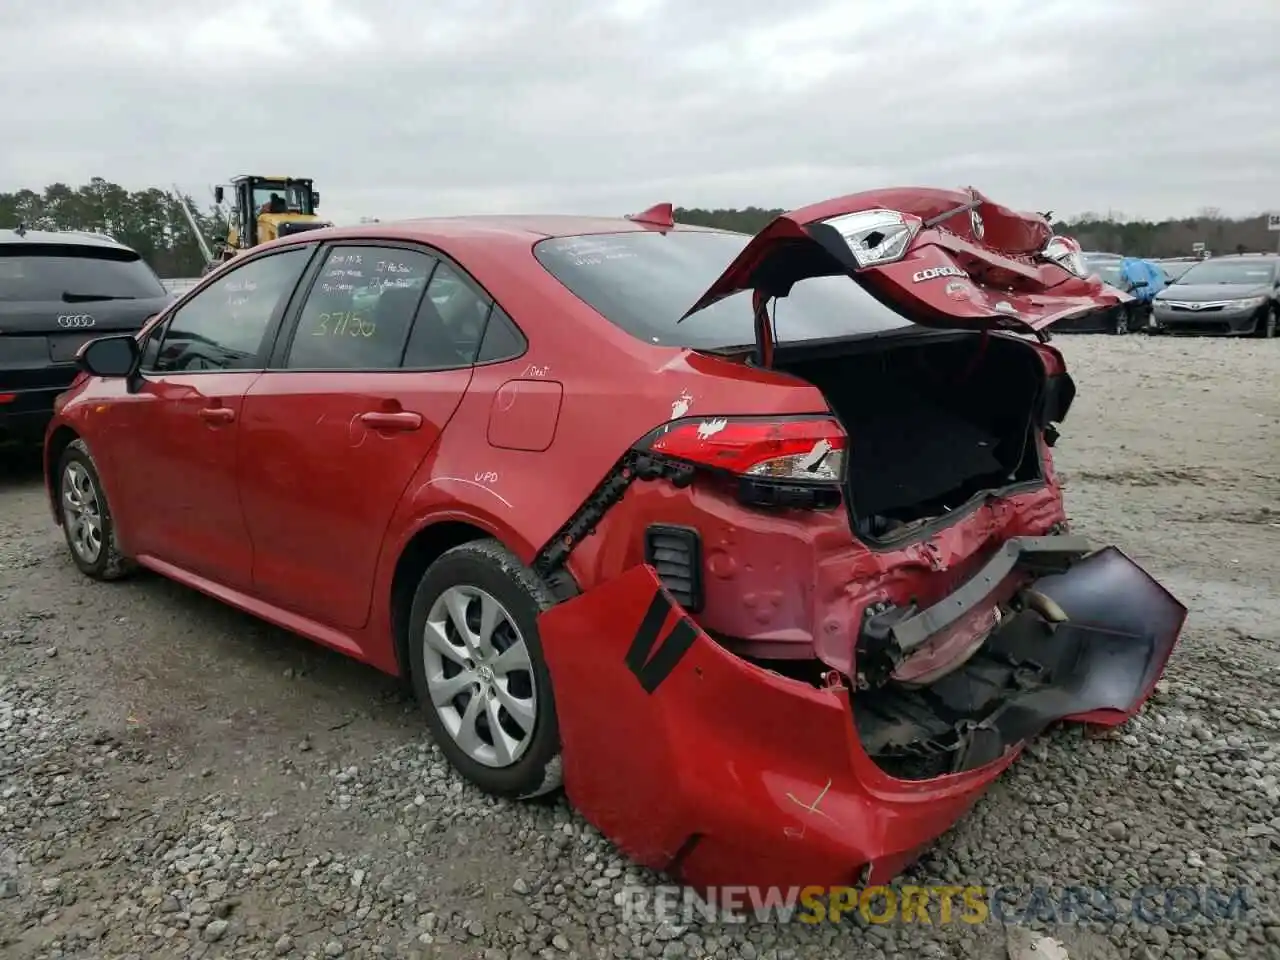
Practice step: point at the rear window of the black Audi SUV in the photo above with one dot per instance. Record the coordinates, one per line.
(44, 273)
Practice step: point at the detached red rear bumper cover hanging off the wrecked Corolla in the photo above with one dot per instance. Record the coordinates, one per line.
(724, 772)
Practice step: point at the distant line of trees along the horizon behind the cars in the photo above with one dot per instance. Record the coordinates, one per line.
(152, 222)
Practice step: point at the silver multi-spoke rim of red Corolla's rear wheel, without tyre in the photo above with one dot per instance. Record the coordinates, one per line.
(479, 676)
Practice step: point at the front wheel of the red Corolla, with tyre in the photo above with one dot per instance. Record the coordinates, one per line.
(88, 520)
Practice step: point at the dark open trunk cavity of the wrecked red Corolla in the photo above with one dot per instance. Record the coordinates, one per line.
(934, 422)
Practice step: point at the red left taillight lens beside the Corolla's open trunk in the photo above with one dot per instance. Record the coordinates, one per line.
(796, 450)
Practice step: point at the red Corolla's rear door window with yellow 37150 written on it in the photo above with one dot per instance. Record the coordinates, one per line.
(359, 312)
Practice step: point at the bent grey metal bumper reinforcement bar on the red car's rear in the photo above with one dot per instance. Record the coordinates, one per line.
(890, 636)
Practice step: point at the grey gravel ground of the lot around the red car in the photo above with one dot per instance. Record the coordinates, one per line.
(179, 780)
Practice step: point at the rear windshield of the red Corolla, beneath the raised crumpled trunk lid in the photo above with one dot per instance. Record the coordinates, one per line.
(646, 282)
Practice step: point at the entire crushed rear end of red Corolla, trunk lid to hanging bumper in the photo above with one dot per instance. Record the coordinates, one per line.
(844, 627)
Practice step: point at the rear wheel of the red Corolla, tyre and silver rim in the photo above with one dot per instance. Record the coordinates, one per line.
(478, 670)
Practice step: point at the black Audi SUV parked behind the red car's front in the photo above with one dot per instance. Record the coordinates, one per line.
(60, 290)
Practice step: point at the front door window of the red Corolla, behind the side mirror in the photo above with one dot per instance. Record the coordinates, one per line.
(222, 328)
